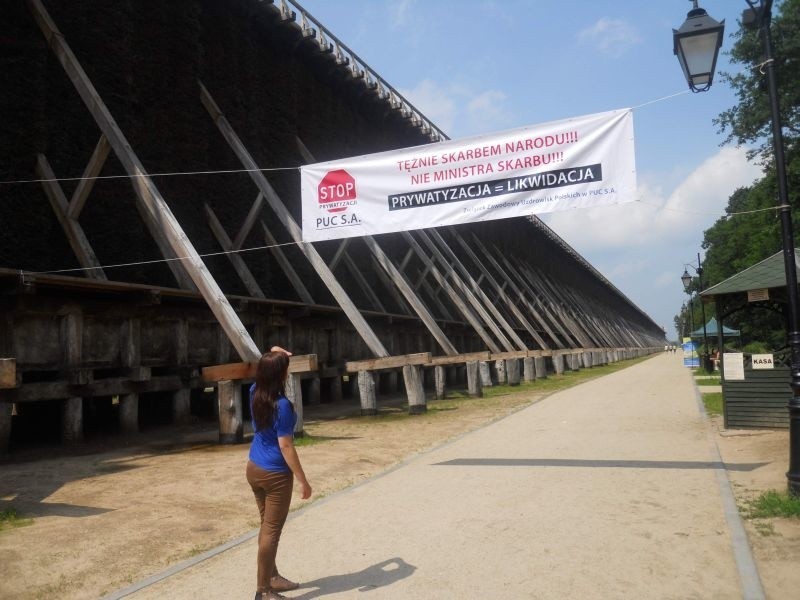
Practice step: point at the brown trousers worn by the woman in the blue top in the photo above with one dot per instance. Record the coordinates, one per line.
(273, 492)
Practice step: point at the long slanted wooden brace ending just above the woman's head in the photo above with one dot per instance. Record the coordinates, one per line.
(163, 223)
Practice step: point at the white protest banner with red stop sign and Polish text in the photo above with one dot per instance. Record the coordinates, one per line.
(575, 163)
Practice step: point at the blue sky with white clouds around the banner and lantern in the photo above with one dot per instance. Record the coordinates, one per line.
(477, 66)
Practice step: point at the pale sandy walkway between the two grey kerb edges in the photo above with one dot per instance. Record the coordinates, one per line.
(611, 489)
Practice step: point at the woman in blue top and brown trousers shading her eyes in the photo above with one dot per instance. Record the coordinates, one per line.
(273, 464)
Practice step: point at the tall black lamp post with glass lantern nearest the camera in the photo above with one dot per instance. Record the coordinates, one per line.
(691, 44)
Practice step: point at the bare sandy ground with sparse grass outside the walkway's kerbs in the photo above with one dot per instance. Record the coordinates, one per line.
(102, 521)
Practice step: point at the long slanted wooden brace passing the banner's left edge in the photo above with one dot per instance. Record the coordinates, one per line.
(337, 291)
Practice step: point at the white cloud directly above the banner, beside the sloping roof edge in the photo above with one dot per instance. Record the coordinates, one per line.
(460, 110)
